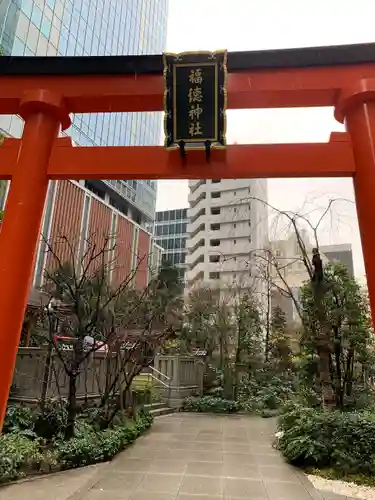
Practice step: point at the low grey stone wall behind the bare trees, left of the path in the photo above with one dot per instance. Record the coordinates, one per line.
(179, 376)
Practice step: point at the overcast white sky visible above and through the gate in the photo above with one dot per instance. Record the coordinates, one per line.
(271, 24)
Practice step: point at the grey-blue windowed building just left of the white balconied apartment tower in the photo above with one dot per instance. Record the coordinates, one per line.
(171, 234)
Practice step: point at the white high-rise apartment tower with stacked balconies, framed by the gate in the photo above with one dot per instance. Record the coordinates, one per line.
(227, 222)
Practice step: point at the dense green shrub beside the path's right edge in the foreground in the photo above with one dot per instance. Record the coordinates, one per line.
(344, 441)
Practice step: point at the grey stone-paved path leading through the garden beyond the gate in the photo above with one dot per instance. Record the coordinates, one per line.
(188, 457)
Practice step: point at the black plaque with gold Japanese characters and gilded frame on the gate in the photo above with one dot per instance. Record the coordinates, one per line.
(195, 99)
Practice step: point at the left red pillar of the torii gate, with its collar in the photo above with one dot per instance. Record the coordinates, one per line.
(44, 113)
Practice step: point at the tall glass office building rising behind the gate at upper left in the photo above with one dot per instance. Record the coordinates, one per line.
(90, 28)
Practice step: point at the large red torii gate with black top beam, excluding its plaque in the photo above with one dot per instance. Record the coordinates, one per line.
(45, 90)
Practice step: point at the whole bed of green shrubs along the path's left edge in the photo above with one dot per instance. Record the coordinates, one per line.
(22, 452)
